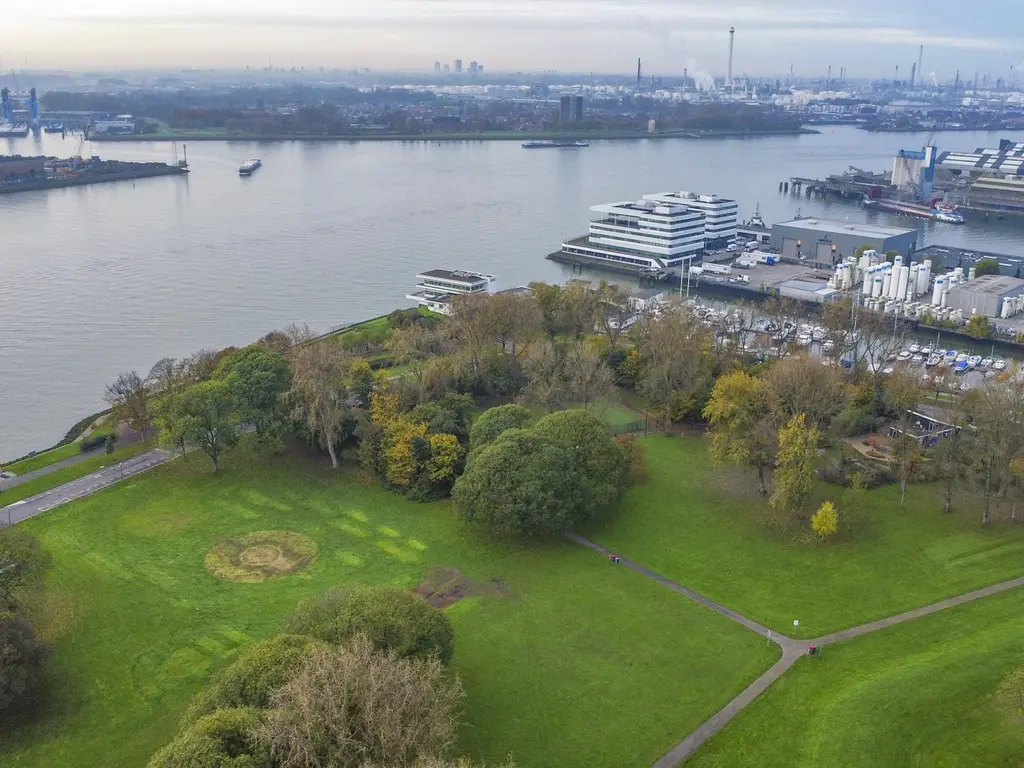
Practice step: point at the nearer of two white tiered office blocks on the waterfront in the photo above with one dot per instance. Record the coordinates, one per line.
(646, 235)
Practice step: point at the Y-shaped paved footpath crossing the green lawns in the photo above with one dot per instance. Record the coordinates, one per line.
(793, 651)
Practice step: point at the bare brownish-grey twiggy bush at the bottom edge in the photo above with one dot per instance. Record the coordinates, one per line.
(349, 707)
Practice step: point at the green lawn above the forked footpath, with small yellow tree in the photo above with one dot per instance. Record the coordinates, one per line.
(698, 525)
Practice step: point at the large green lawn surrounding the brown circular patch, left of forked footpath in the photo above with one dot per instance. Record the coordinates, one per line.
(581, 664)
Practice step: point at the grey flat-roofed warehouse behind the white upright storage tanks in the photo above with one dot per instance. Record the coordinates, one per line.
(828, 242)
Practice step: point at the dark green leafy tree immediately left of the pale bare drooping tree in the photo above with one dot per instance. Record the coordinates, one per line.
(259, 379)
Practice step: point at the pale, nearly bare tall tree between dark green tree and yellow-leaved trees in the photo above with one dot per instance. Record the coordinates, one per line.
(319, 397)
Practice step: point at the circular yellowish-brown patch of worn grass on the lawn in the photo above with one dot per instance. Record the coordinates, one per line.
(261, 556)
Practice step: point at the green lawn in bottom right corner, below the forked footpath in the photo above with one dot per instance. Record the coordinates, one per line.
(918, 695)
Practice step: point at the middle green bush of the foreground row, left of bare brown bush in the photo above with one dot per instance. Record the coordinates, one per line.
(249, 682)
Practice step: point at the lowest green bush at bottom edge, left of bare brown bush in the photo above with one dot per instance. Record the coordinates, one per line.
(224, 740)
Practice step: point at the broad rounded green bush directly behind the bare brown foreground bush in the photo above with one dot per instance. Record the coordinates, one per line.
(391, 618)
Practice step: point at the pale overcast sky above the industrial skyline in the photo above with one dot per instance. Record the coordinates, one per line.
(869, 37)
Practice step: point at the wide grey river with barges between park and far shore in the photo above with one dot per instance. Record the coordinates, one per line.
(104, 279)
